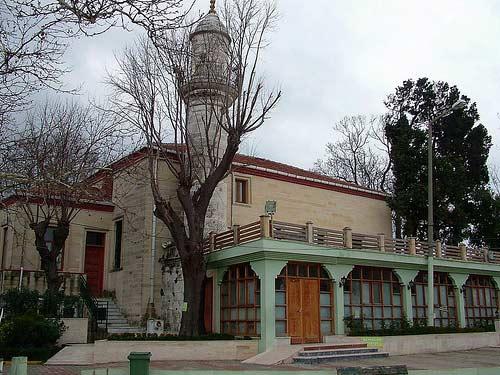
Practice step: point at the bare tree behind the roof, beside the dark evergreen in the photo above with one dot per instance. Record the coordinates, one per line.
(361, 153)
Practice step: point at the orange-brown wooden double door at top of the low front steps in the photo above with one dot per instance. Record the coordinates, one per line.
(303, 310)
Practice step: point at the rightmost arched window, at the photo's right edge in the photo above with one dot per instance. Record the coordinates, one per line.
(480, 301)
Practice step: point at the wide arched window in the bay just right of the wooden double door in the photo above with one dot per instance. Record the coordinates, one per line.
(373, 294)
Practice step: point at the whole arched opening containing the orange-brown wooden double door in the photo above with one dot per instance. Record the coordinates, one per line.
(304, 303)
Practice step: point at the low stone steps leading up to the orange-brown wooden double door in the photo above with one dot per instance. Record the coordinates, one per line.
(337, 352)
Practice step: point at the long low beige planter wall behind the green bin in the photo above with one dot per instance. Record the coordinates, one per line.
(118, 351)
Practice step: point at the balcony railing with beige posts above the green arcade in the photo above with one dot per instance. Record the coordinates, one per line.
(344, 239)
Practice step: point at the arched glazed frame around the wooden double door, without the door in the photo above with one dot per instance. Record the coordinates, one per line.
(307, 271)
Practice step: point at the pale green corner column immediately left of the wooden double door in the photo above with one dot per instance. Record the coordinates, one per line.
(267, 270)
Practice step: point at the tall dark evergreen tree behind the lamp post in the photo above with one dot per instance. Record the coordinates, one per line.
(460, 148)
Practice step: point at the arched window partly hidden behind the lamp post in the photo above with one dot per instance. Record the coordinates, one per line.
(445, 310)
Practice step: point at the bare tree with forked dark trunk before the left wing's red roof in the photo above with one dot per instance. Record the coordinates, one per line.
(59, 148)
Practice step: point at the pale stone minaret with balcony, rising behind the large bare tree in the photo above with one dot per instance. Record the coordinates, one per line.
(206, 93)
